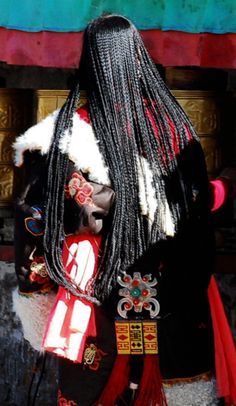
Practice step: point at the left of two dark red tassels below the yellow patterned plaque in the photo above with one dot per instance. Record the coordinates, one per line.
(117, 382)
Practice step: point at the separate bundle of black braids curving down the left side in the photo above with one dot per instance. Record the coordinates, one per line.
(57, 164)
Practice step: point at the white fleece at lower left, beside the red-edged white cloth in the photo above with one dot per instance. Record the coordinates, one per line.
(33, 312)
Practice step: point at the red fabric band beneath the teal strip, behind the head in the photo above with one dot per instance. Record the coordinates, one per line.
(169, 48)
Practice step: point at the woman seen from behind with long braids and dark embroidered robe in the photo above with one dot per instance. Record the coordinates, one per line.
(117, 214)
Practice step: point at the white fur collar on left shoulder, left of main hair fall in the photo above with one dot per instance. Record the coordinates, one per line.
(81, 146)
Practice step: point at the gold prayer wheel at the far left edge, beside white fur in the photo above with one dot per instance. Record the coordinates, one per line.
(15, 117)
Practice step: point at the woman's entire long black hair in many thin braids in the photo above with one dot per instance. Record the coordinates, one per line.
(132, 112)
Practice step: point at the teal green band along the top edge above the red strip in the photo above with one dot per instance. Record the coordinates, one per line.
(216, 16)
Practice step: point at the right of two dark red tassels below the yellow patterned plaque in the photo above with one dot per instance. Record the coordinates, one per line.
(151, 392)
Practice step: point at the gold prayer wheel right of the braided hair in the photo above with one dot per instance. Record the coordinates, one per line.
(202, 108)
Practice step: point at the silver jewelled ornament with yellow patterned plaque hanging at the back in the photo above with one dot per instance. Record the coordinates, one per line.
(137, 336)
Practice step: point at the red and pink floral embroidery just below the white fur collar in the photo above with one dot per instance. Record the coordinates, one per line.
(79, 189)
